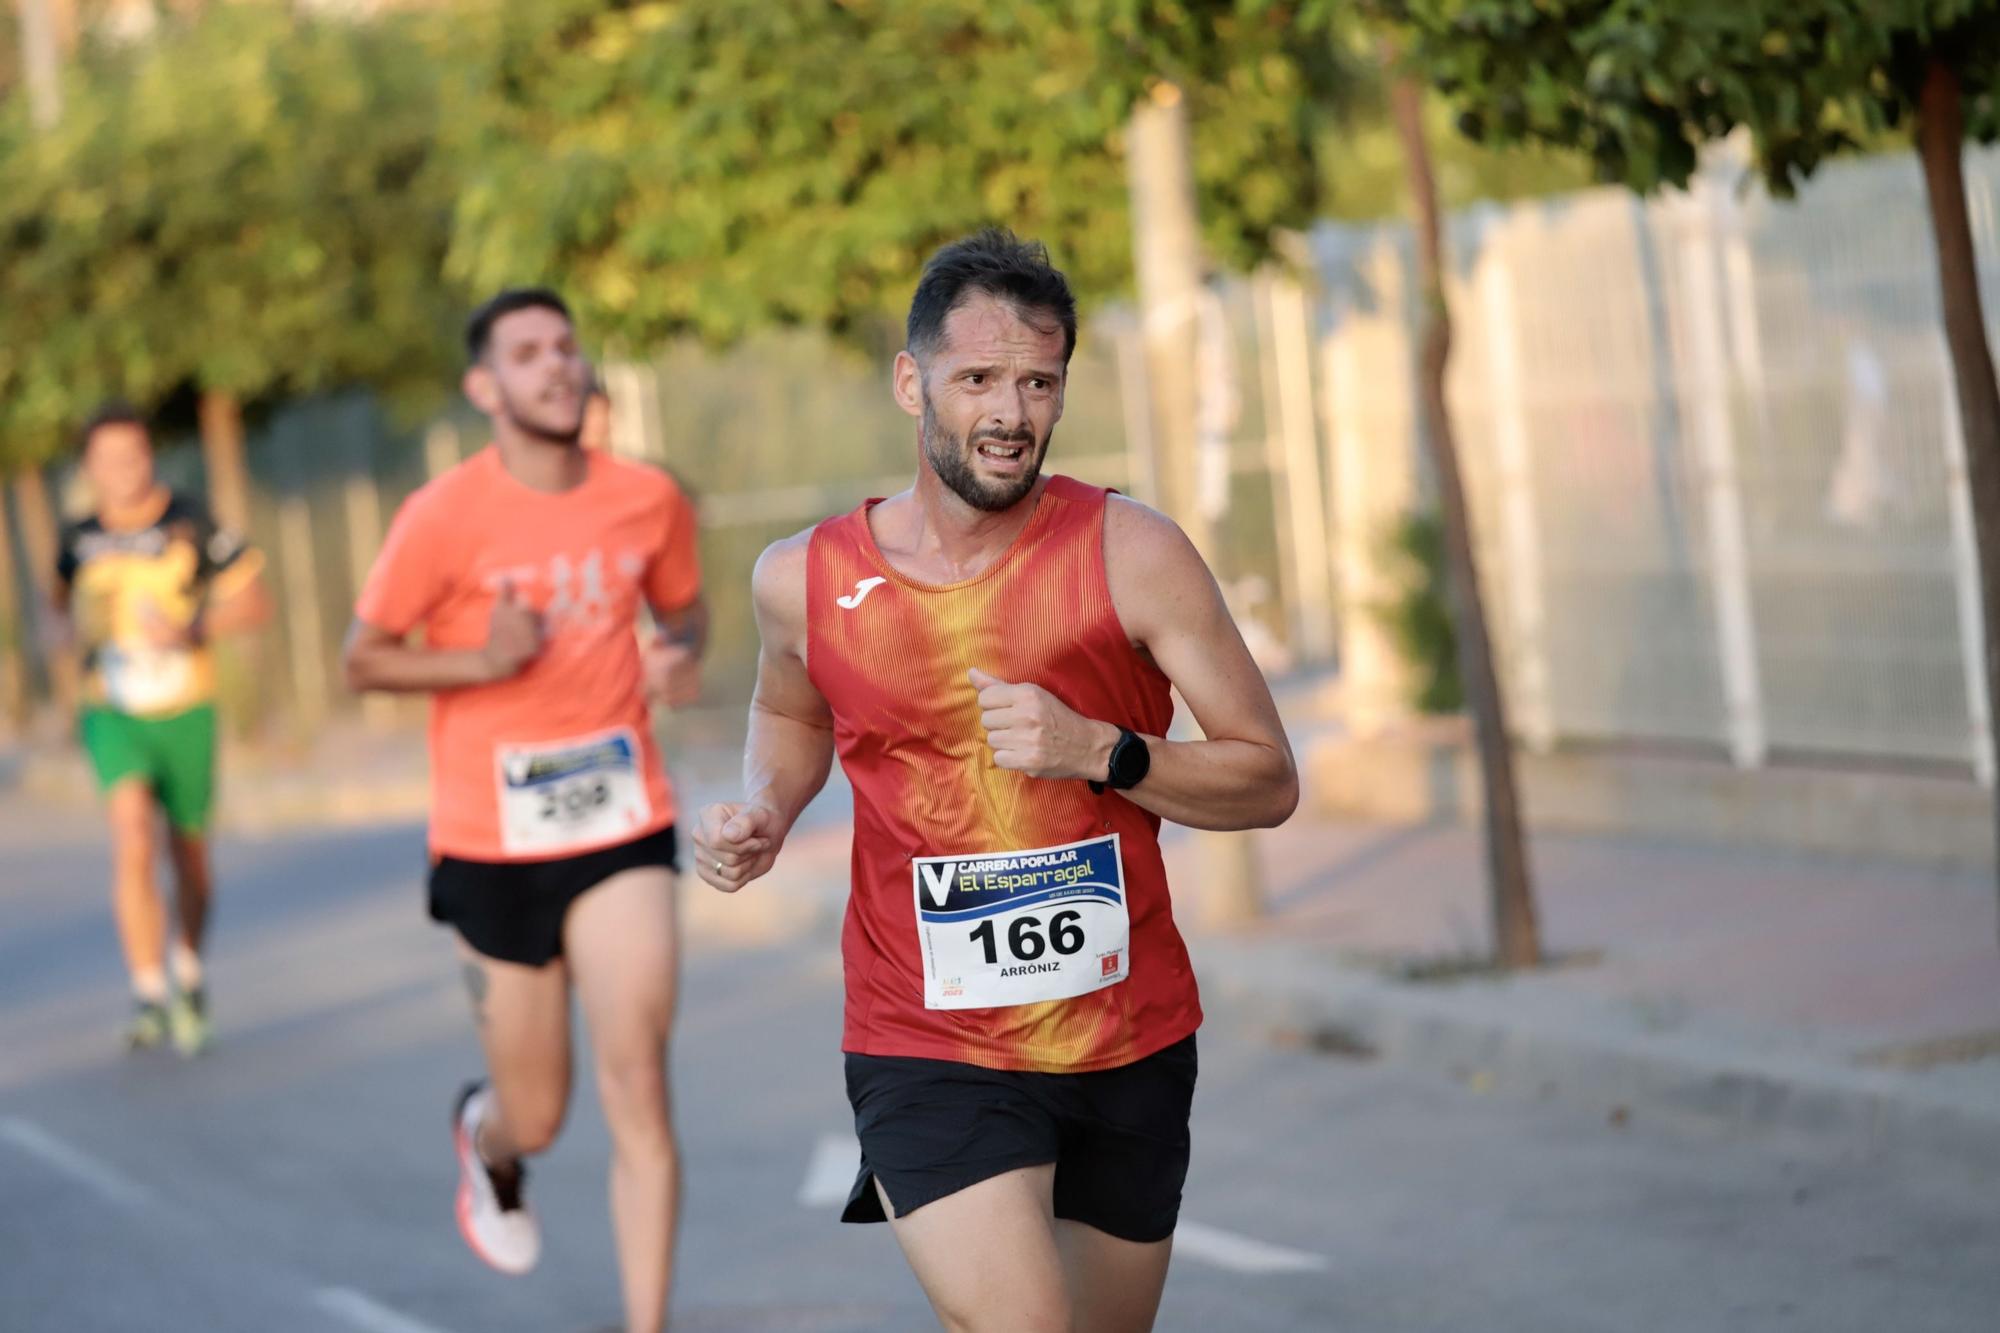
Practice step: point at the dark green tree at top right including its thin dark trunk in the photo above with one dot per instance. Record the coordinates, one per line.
(1641, 85)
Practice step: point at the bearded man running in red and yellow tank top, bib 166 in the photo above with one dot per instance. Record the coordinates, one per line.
(991, 653)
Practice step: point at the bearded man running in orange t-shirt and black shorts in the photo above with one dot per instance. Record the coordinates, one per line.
(553, 824)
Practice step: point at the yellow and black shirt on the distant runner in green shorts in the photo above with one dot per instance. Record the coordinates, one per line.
(127, 581)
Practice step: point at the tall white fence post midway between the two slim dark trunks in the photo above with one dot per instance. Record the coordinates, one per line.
(1709, 385)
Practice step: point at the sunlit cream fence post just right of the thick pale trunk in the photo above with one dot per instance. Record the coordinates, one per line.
(1297, 459)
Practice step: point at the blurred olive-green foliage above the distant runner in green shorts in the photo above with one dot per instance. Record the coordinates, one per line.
(249, 203)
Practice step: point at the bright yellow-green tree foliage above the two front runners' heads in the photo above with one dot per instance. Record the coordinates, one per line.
(715, 167)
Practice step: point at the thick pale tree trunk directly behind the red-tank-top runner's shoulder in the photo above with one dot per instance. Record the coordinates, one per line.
(1167, 251)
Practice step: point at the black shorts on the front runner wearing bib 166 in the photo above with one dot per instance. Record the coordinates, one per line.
(1119, 1138)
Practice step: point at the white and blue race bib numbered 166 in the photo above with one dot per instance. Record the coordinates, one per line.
(1023, 928)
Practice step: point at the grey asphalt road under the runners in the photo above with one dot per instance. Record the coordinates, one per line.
(301, 1178)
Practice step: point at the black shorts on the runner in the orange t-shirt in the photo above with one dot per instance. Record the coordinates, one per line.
(515, 910)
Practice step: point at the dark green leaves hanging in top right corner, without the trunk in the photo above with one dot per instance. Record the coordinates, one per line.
(1639, 85)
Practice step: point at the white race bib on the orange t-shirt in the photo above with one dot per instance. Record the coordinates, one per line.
(565, 796)
